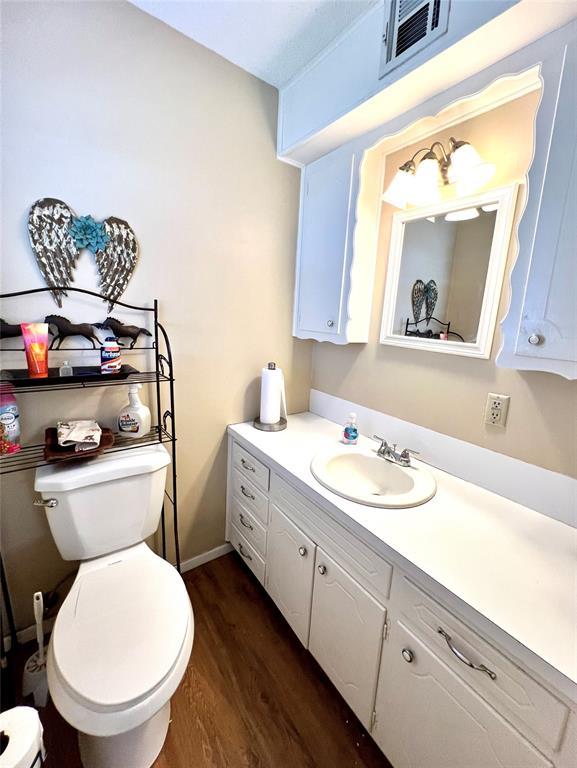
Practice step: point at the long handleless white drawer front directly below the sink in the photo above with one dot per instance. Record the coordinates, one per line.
(368, 568)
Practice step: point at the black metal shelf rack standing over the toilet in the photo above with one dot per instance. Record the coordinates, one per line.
(163, 431)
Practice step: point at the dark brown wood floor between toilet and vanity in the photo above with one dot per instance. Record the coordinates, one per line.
(252, 696)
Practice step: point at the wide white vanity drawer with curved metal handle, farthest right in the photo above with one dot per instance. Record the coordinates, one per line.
(524, 702)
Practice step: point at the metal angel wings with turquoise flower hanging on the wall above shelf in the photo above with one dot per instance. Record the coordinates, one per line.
(57, 236)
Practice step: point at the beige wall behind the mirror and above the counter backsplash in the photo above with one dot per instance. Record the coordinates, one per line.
(443, 392)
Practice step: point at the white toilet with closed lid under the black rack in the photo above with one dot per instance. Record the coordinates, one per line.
(123, 636)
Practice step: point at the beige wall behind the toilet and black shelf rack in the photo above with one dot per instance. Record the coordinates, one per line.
(116, 113)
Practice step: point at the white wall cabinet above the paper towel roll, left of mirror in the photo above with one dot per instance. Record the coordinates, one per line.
(333, 290)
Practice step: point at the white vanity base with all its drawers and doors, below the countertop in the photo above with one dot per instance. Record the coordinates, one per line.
(374, 629)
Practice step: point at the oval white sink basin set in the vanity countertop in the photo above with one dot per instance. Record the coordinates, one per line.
(362, 476)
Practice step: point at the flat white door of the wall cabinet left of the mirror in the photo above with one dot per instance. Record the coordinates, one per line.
(323, 244)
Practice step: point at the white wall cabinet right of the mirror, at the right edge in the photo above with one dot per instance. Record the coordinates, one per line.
(541, 334)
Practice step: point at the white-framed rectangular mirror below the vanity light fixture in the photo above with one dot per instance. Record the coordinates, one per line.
(444, 274)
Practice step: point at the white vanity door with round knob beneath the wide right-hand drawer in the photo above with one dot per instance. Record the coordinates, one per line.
(426, 716)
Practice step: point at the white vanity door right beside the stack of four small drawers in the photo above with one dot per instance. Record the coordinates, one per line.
(289, 572)
